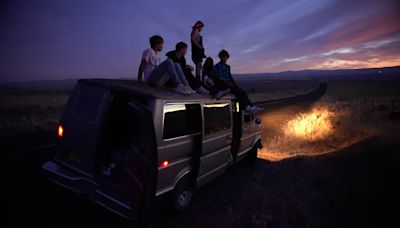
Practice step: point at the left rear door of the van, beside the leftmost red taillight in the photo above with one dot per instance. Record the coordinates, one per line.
(80, 128)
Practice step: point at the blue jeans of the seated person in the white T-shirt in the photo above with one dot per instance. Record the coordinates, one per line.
(167, 71)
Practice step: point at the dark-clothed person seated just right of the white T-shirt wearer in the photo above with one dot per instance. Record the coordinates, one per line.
(178, 57)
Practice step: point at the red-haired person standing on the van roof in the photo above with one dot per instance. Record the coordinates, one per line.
(197, 47)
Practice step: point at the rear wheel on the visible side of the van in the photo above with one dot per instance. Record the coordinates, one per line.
(183, 195)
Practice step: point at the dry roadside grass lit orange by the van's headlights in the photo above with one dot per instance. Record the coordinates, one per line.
(329, 125)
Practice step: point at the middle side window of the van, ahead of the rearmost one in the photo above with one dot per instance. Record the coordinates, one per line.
(217, 117)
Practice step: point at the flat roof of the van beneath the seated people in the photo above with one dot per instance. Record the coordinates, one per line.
(142, 89)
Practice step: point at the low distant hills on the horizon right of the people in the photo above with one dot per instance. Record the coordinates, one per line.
(386, 73)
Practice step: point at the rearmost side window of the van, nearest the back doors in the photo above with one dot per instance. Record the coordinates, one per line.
(181, 120)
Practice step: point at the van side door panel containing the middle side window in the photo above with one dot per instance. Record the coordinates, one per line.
(217, 138)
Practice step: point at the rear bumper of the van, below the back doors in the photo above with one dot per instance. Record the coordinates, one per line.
(79, 184)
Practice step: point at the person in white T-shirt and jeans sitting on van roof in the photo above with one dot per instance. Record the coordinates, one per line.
(157, 73)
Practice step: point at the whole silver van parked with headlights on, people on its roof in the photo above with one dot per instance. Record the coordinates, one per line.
(123, 144)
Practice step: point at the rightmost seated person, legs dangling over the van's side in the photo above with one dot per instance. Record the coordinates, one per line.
(222, 77)
